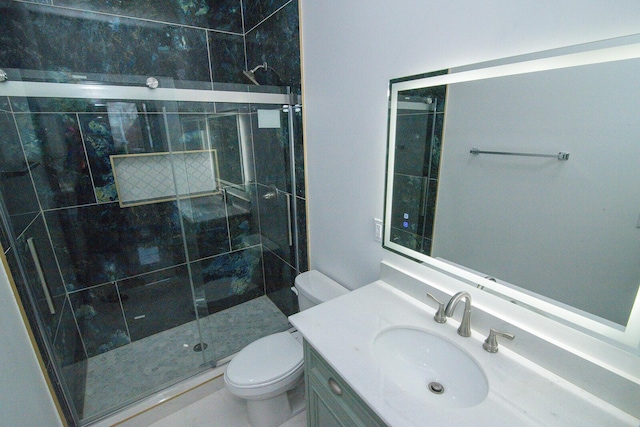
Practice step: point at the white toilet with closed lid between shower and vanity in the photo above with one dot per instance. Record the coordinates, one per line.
(268, 373)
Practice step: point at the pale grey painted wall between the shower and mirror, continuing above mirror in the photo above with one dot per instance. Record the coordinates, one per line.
(351, 51)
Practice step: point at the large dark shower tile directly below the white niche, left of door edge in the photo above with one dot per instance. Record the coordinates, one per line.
(103, 243)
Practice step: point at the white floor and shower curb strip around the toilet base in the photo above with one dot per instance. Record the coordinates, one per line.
(207, 404)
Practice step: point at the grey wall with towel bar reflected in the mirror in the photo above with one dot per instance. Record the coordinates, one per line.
(563, 229)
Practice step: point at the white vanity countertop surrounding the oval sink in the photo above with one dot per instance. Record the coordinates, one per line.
(520, 393)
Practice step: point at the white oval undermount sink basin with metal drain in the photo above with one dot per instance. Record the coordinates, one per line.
(422, 368)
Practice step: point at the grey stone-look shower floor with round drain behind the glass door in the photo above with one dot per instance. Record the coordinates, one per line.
(133, 371)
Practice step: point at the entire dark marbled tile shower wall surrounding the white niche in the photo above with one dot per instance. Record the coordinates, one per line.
(106, 296)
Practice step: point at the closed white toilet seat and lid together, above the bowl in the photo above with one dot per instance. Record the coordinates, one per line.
(267, 366)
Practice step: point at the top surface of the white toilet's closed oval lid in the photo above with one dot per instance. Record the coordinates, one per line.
(265, 361)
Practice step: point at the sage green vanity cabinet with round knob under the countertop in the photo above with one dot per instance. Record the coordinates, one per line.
(330, 401)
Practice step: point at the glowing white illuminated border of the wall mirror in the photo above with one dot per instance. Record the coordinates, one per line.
(618, 49)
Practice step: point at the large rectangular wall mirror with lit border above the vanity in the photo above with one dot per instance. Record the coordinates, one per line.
(522, 177)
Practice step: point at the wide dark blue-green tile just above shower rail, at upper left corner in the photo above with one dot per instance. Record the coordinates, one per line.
(35, 39)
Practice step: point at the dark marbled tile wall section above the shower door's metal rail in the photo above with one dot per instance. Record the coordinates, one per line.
(193, 42)
